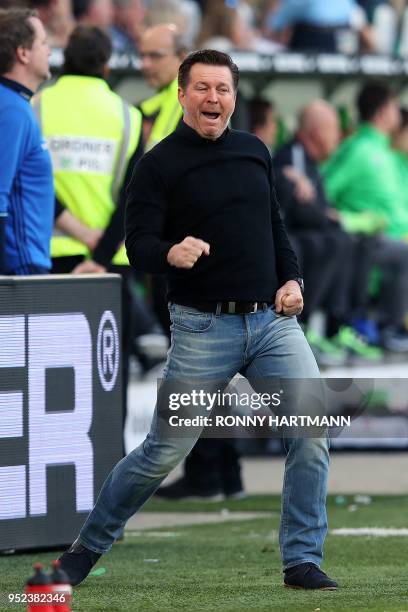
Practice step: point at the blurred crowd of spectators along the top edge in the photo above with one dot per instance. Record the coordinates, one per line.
(264, 26)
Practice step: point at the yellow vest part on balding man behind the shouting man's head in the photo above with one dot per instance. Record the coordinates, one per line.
(169, 112)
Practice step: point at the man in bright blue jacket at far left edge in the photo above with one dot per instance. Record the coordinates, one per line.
(26, 181)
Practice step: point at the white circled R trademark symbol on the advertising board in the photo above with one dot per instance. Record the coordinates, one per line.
(108, 350)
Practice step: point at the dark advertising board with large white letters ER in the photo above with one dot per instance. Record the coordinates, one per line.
(60, 403)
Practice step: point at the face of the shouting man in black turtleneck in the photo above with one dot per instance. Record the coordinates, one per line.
(208, 100)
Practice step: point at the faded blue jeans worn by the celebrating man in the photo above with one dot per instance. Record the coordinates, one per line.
(210, 346)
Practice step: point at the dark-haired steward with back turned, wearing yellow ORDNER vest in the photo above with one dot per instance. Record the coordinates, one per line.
(94, 138)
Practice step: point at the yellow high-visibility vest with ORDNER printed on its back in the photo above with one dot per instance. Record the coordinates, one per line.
(92, 134)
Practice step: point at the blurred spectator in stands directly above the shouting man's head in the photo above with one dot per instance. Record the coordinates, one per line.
(225, 28)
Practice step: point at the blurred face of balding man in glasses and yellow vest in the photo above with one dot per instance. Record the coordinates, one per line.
(160, 62)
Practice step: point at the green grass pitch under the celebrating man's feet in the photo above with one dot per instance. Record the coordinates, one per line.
(236, 567)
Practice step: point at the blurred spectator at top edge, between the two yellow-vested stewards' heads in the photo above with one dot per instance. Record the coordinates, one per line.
(128, 25)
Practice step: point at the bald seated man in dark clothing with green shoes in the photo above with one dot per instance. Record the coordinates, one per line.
(333, 262)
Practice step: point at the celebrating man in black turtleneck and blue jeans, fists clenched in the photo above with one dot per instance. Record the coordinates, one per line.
(202, 208)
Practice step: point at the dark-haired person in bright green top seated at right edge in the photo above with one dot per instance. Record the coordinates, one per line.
(362, 183)
